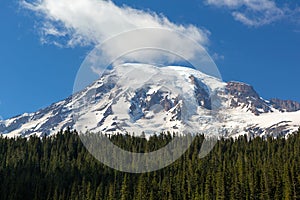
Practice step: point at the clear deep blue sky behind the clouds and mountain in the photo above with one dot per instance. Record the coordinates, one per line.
(248, 45)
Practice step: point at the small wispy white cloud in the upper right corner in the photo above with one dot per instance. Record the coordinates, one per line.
(254, 12)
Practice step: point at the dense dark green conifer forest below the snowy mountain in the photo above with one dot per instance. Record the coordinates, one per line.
(60, 167)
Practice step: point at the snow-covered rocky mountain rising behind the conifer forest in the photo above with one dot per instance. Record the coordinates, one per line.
(144, 98)
